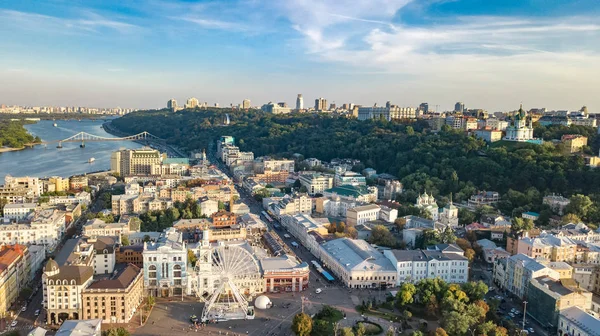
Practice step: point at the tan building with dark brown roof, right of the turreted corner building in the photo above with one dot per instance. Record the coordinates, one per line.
(114, 299)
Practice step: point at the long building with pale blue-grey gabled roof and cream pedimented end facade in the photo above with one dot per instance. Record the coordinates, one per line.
(357, 264)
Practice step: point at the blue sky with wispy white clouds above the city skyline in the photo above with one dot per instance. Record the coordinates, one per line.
(490, 54)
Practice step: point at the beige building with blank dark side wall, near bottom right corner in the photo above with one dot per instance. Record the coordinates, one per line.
(546, 297)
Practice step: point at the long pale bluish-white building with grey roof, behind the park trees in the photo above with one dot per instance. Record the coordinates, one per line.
(413, 266)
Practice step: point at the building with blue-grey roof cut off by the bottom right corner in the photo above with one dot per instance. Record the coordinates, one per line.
(576, 321)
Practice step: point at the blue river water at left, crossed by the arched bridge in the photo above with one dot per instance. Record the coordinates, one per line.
(70, 160)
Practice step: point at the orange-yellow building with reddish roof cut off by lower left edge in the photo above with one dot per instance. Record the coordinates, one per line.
(14, 274)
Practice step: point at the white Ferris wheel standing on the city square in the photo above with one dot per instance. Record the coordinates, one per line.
(232, 267)
